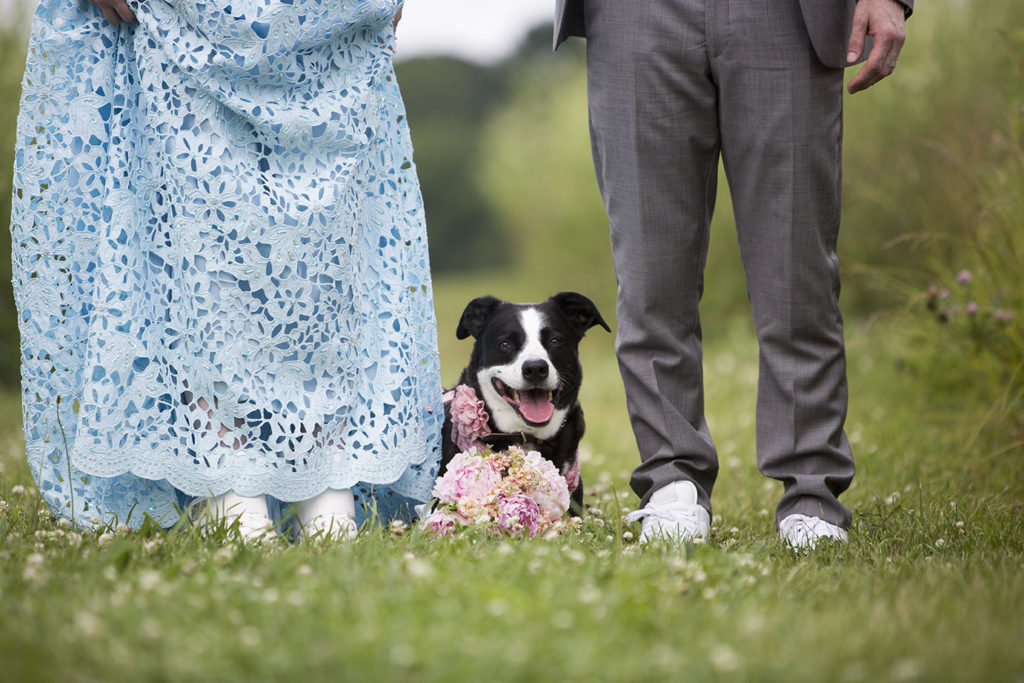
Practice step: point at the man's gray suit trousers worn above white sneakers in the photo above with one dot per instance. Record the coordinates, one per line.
(675, 84)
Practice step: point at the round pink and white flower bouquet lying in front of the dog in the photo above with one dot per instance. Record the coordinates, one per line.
(506, 493)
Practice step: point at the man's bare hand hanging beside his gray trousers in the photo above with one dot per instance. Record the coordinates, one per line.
(884, 20)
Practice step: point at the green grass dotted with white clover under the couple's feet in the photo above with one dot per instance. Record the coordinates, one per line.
(929, 588)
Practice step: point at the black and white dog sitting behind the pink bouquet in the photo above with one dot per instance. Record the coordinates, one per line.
(526, 369)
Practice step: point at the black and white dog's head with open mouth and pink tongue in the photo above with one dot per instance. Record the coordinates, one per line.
(526, 361)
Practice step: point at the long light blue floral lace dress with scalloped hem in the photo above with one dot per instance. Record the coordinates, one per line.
(221, 260)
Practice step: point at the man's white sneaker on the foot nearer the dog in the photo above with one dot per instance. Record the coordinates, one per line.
(673, 515)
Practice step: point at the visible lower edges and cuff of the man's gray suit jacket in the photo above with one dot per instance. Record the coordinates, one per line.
(829, 23)
